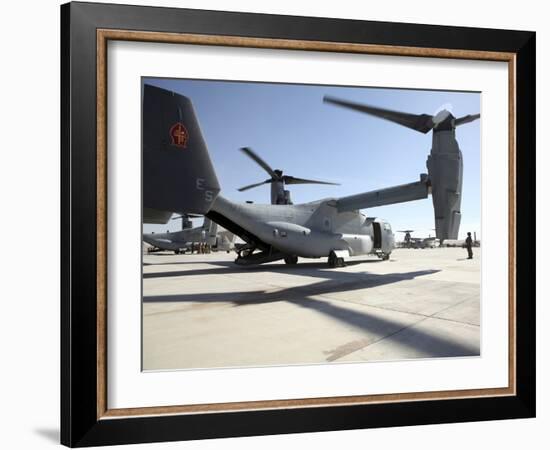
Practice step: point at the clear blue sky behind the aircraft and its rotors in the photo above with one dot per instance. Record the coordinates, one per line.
(292, 129)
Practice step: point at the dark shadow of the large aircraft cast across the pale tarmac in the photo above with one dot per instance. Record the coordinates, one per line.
(420, 341)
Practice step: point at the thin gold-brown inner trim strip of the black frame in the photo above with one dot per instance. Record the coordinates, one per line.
(103, 36)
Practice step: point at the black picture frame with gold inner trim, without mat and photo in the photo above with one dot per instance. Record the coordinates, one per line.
(86, 419)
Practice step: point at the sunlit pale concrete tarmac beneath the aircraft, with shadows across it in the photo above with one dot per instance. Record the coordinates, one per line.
(203, 311)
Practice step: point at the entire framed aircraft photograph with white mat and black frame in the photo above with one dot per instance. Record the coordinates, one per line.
(276, 224)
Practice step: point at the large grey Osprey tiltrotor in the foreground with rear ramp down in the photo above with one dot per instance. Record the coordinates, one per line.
(178, 176)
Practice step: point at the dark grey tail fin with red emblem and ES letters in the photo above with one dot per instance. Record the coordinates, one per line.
(178, 175)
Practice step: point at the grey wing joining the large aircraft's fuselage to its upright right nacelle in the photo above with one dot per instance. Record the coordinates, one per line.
(388, 196)
